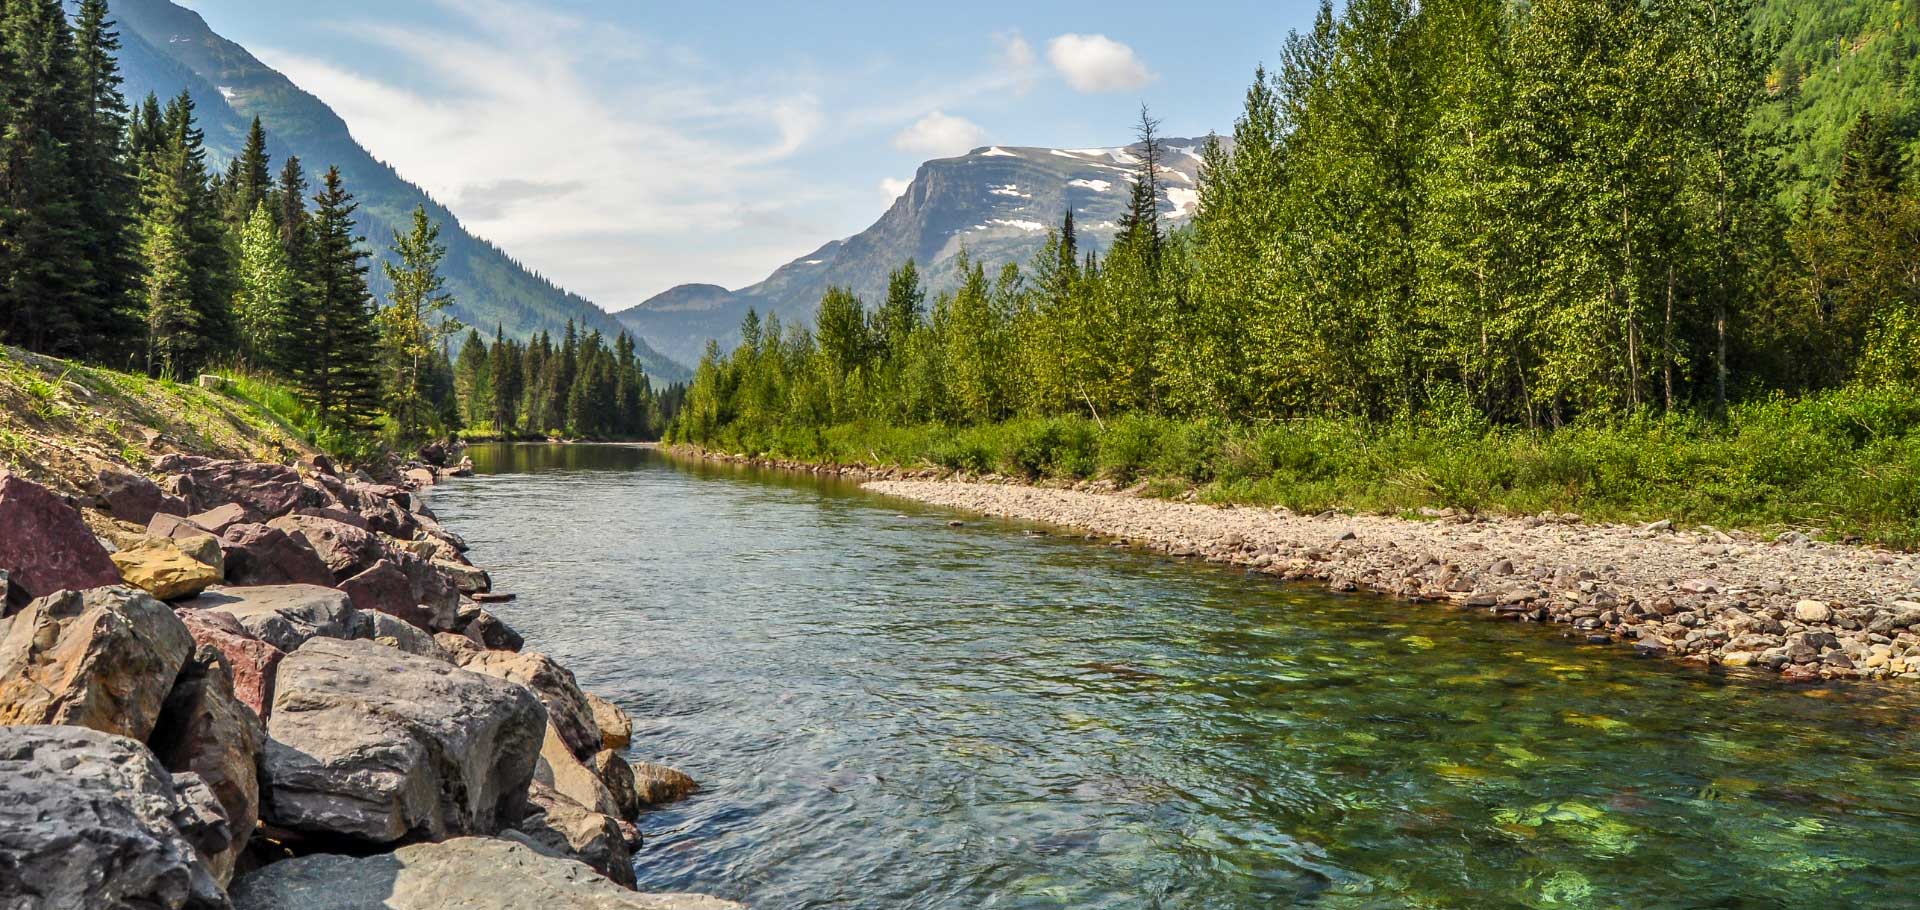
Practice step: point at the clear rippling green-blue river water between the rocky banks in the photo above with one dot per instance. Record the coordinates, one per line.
(894, 715)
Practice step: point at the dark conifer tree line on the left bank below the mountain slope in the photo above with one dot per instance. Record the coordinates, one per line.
(124, 247)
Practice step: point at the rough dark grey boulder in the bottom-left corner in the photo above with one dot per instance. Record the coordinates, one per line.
(93, 823)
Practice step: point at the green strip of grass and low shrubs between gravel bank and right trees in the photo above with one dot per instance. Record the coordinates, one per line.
(1842, 464)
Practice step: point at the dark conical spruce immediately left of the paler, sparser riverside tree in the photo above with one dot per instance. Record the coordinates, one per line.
(333, 337)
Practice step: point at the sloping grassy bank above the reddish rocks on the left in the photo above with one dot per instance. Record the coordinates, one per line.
(62, 421)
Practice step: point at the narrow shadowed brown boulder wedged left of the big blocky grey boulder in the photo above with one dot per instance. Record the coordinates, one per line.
(206, 730)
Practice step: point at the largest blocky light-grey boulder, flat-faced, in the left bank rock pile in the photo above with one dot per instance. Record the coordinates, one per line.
(373, 746)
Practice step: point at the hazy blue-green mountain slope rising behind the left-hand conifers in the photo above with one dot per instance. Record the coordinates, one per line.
(168, 49)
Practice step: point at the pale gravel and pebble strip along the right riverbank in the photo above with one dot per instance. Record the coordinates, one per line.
(1792, 606)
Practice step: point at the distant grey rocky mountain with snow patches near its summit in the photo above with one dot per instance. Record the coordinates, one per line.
(996, 203)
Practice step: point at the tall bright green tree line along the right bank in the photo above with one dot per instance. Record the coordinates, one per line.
(1510, 214)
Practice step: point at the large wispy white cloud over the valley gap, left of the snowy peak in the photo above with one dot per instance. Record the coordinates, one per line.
(600, 183)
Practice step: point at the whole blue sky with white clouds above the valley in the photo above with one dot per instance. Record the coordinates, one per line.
(623, 149)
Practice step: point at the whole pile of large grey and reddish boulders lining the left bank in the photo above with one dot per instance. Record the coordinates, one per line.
(276, 688)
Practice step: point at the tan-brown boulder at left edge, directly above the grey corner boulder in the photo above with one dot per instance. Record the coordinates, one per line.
(103, 659)
